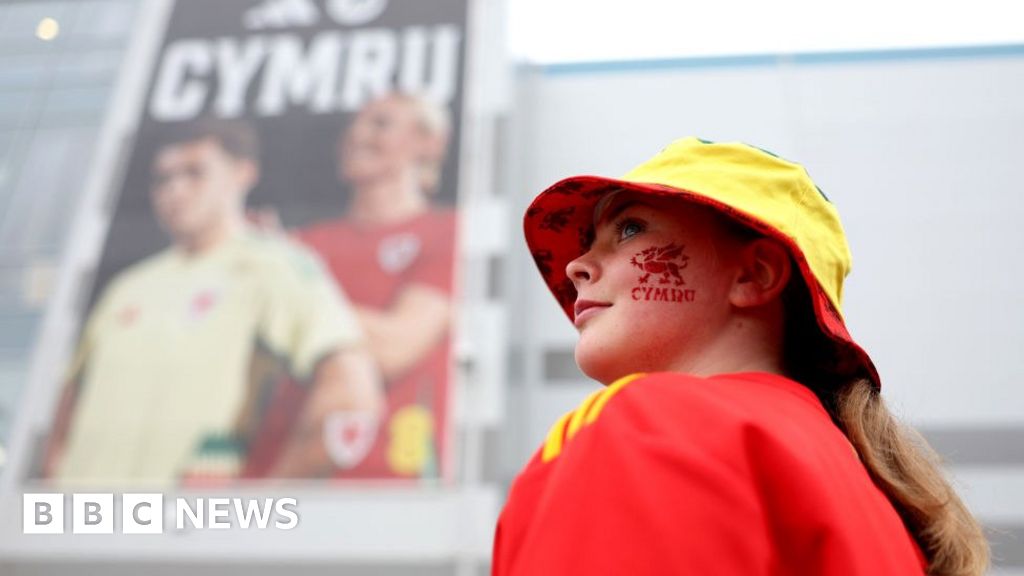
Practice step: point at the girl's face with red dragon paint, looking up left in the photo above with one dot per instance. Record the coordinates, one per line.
(654, 287)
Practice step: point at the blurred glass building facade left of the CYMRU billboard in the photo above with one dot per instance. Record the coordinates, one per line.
(53, 98)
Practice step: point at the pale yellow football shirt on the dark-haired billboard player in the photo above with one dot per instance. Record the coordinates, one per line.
(167, 357)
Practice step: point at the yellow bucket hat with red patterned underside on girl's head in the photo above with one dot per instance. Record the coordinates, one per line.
(754, 187)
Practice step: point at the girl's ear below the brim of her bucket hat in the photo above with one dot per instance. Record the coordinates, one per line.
(765, 271)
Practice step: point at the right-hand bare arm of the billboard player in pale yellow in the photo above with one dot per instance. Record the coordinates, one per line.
(345, 382)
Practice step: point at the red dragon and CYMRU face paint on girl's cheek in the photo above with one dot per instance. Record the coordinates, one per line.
(660, 275)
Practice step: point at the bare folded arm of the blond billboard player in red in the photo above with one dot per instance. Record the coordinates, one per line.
(401, 337)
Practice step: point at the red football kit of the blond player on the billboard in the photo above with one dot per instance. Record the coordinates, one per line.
(373, 265)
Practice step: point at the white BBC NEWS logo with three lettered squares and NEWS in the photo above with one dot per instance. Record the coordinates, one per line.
(144, 514)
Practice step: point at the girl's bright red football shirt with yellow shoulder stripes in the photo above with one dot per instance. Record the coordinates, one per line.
(668, 474)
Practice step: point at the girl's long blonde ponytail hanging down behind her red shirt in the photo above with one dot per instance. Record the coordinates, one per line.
(897, 457)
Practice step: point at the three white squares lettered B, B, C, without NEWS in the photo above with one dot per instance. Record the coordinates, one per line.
(94, 514)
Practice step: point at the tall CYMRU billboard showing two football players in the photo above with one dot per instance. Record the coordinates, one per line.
(274, 297)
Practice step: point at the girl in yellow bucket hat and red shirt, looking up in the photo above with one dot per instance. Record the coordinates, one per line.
(741, 430)
